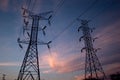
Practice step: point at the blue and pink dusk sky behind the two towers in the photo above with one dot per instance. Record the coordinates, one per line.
(67, 62)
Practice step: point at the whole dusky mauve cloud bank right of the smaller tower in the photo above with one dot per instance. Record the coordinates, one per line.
(109, 42)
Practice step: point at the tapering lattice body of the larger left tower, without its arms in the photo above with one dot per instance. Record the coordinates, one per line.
(30, 65)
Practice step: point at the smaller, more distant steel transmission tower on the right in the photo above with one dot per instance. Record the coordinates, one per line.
(93, 68)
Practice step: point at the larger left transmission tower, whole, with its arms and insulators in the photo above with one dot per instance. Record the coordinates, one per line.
(30, 66)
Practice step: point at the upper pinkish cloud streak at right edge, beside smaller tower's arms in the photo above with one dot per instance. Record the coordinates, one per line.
(108, 35)
